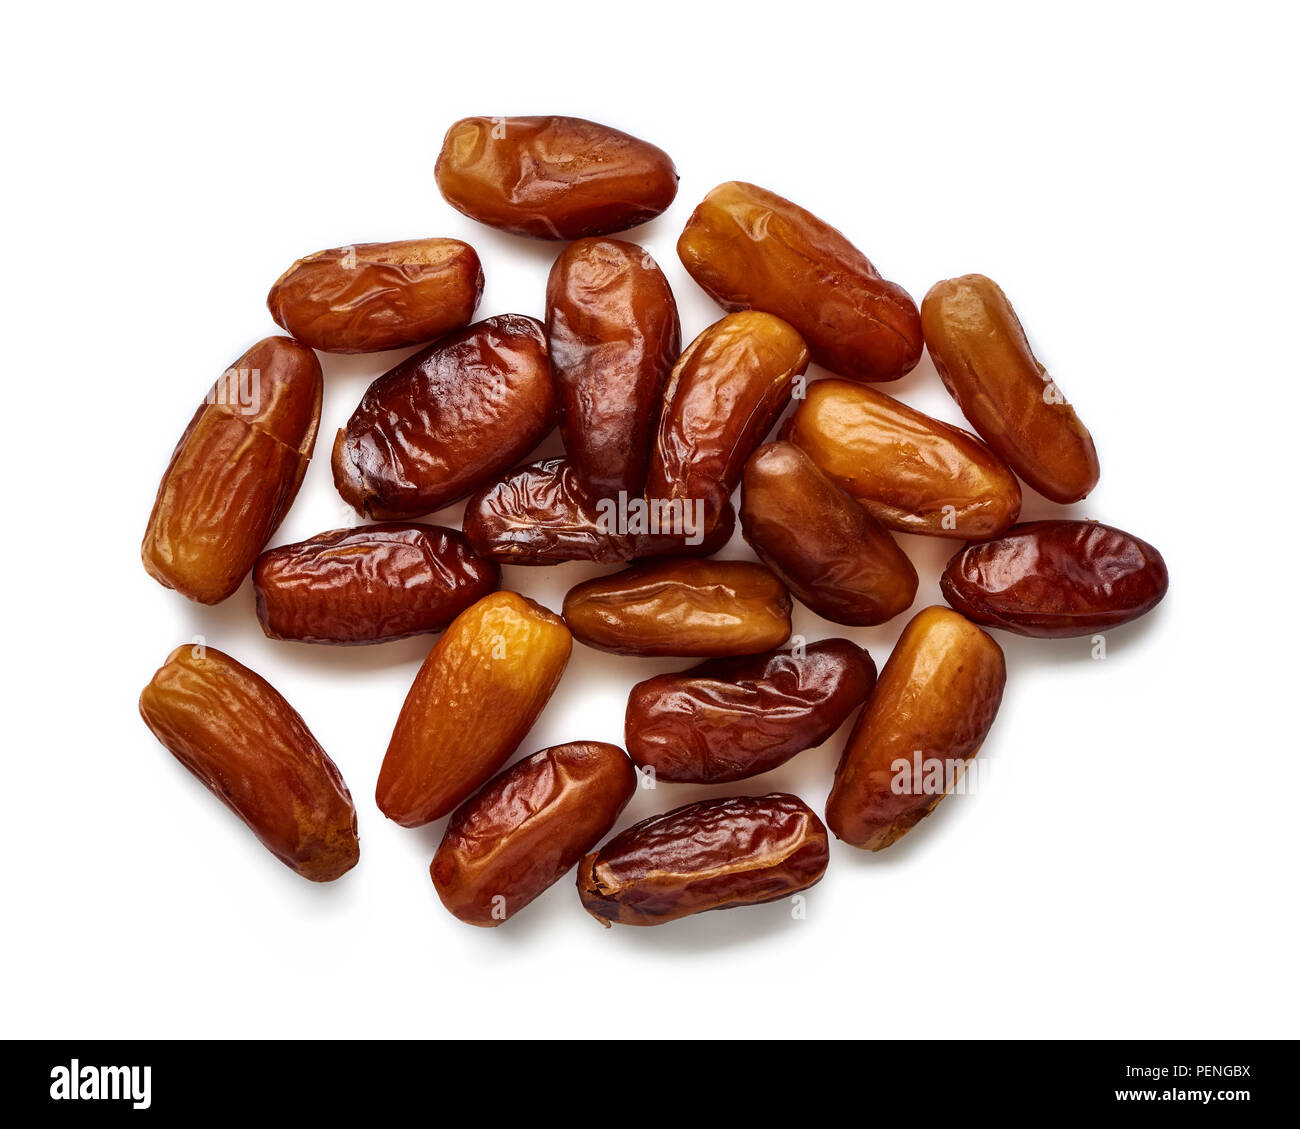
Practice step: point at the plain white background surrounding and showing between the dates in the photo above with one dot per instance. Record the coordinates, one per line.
(1125, 172)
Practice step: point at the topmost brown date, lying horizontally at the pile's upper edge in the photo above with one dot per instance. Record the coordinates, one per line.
(553, 178)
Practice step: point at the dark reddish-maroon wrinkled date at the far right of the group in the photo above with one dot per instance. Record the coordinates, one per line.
(1055, 579)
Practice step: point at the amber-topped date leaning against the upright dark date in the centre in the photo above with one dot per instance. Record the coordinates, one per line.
(722, 400)
